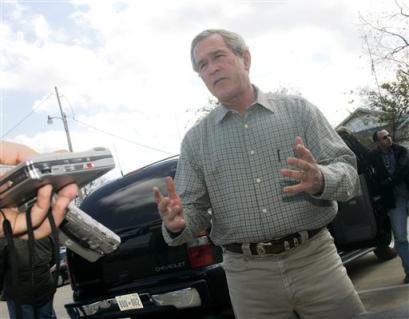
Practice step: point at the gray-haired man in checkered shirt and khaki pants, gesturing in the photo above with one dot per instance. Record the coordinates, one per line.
(271, 169)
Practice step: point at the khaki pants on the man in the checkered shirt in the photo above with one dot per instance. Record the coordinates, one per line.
(308, 282)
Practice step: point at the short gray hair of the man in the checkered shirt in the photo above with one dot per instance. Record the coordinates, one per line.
(232, 40)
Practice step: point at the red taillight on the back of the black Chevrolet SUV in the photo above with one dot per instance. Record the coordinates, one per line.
(200, 252)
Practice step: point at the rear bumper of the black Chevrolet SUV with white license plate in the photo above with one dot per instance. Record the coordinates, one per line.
(197, 295)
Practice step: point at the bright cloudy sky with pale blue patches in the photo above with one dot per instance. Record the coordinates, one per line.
(123, 68)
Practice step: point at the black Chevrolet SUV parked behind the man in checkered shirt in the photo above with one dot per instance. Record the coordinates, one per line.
(147, 277)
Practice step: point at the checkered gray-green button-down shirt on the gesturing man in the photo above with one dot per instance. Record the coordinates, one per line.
(231, 164)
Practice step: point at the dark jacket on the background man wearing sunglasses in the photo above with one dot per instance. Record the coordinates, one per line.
(385, 182)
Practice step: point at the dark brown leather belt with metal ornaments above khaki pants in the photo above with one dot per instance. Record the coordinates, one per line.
(273, 247)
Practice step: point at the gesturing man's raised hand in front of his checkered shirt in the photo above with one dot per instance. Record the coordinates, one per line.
(306, 171)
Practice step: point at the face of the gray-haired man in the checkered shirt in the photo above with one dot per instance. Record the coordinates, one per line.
(224, 73)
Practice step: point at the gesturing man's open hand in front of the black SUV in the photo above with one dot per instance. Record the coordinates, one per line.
(170, 207)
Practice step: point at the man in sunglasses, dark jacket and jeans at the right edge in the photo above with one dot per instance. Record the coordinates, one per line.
(391, 164)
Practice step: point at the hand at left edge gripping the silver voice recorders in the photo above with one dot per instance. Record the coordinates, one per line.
(12, 154)
